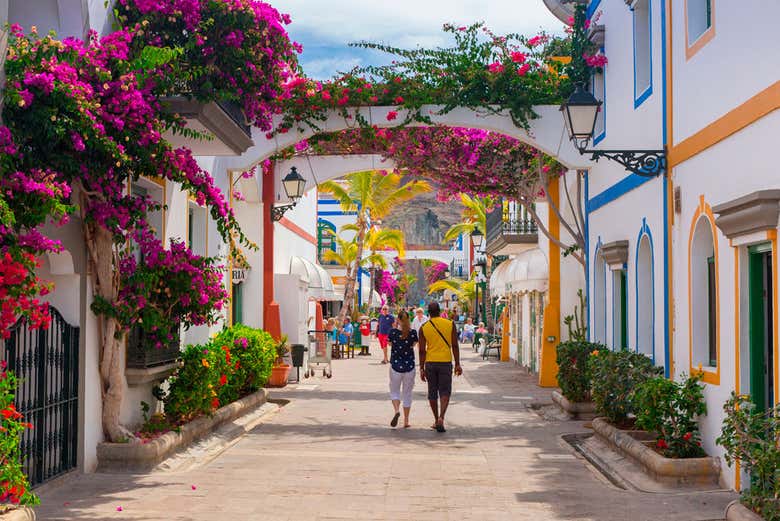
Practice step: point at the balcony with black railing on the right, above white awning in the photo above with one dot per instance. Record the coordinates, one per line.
(511, 230)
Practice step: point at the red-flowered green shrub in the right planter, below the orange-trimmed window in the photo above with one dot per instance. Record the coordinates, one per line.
(669, 409)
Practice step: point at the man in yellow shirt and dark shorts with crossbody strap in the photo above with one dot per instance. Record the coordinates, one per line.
(438, 348)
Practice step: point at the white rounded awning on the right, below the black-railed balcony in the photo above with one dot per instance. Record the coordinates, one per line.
(528, 271)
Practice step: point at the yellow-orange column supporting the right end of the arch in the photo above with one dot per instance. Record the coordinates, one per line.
(551, 329)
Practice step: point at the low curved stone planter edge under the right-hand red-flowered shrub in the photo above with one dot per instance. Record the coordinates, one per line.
(668, 470)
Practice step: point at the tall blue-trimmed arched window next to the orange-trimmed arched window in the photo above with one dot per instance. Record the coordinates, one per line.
(645, 299)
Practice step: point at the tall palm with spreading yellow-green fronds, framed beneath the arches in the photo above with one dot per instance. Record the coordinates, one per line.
(372, 194)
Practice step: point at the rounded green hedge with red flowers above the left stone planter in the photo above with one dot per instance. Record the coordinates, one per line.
(236, 362)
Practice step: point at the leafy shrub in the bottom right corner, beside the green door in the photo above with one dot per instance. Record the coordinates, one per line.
(751, 437)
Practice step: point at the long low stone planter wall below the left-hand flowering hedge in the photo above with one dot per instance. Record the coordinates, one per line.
(141, 457)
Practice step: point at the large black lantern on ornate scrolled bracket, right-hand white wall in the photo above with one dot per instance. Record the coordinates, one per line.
(580, 113)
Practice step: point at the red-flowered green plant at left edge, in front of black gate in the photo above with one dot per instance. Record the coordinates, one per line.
(14, 488)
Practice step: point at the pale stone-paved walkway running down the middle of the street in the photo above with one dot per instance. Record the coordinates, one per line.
(330, 454)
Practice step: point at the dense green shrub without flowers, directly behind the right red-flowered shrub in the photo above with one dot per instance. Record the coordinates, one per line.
(614, 375)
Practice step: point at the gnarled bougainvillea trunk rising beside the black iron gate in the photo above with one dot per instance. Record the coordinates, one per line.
(105, 280)
